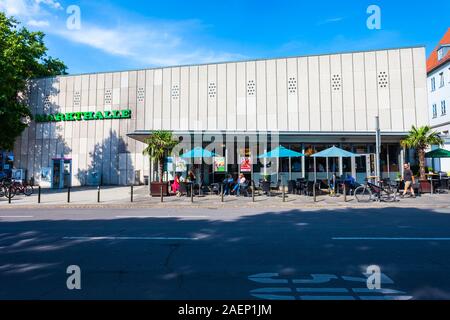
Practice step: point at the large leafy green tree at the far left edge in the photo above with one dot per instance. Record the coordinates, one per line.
(23, 56)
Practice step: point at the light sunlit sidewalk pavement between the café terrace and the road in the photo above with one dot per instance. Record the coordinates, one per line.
(120, 197)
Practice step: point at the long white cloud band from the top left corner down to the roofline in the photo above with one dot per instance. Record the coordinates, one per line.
(144, 42)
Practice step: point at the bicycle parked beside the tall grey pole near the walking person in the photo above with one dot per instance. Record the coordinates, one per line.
(373, 192)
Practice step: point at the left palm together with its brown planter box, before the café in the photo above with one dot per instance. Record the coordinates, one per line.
(159, 145)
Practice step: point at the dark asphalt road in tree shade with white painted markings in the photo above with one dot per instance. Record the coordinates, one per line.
(224, 254)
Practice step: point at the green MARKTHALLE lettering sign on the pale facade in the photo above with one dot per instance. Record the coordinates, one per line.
(83, 116)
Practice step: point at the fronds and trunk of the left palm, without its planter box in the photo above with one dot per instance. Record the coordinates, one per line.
(159, 145)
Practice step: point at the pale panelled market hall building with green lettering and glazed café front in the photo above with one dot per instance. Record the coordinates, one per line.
(90, 128)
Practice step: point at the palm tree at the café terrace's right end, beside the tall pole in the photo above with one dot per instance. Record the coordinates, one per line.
(421, 139)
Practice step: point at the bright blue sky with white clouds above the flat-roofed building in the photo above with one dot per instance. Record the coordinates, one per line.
(120, 35)
